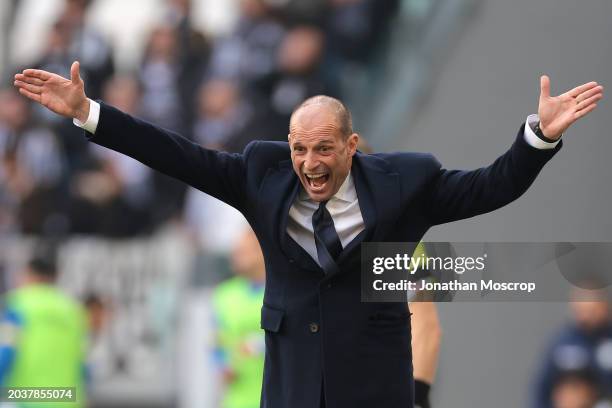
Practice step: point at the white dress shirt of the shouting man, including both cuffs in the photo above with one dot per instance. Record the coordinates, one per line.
(343, 206)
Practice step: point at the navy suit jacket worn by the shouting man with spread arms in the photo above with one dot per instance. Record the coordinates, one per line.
(318, 332)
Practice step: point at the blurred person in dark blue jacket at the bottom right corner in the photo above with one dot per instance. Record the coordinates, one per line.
(583, 345)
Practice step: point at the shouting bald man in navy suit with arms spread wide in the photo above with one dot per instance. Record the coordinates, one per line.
(311, 202)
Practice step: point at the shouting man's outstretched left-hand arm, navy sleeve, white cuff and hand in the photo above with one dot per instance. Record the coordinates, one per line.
(219, 174)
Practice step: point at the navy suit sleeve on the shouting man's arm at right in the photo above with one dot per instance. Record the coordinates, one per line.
(457, 194)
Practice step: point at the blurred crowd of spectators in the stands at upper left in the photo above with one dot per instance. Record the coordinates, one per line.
(219, 92)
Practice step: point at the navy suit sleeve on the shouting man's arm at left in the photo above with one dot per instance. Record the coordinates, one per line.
(220, 174)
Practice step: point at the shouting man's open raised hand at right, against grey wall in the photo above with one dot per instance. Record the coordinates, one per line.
(557, 113)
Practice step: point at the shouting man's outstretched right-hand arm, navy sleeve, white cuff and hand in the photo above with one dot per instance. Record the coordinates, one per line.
(456, 194)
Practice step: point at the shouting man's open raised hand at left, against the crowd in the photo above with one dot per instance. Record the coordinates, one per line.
(63, 96)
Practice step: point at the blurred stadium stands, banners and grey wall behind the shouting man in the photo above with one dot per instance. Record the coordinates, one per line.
(453, 77)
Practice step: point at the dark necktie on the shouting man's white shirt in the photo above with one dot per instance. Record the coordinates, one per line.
(326, 238)
